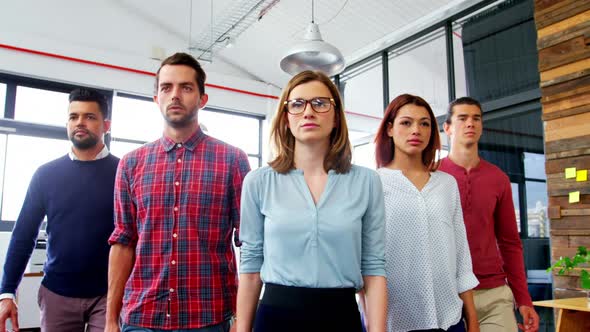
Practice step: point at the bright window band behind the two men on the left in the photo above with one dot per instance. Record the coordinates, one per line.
(41, 115)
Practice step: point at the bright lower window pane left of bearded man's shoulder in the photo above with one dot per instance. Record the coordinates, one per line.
(24, 154)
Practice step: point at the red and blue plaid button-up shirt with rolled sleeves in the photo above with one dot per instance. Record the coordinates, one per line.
(178, 204)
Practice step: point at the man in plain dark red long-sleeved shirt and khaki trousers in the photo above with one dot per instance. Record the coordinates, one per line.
(490, 221)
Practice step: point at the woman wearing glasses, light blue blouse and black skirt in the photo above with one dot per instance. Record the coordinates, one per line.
(312, 224)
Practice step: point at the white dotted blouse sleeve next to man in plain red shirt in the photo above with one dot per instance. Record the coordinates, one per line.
(466, 280)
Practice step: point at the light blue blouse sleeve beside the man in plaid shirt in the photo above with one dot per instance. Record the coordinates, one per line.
(252, 225)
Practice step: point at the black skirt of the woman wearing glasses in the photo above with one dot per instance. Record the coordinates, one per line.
(286, 309)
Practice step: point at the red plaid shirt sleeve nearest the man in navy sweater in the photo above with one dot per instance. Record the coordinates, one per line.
(125, 210)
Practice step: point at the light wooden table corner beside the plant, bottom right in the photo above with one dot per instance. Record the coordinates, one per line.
(573, 314)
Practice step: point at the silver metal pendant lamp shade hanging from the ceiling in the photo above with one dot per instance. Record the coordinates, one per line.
(313, 54)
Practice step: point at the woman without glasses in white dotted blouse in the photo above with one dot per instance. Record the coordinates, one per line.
(428, 264)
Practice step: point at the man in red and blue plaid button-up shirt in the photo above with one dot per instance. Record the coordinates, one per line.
(177, 200)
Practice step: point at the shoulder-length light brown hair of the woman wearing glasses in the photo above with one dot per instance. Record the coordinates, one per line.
(339, 155)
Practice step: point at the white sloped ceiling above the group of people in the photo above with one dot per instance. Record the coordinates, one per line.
(135, 31)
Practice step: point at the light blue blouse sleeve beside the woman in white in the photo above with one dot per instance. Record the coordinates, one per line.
(373, 231)
